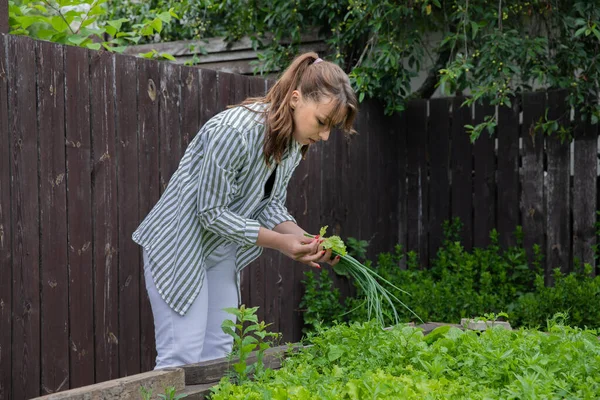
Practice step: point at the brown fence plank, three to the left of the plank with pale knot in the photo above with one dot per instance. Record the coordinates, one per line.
(79, 210)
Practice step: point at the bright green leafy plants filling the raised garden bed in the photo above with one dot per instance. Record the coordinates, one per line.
(363, 361)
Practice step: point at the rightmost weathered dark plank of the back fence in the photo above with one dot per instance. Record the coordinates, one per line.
(585, 194)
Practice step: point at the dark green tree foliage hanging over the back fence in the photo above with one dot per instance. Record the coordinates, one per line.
(492, 50)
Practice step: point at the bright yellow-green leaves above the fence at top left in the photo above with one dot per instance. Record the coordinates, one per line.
(81, 23)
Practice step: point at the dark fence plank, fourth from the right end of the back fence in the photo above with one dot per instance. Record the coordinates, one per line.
(508, 172)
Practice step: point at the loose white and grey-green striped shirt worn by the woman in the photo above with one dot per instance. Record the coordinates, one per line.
(215, 197)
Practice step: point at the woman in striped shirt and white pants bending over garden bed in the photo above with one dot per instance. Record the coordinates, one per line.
(226, 201)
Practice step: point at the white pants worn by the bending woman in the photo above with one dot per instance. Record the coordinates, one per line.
(196, 336)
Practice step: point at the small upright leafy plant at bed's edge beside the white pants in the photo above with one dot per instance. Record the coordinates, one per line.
(248, 336)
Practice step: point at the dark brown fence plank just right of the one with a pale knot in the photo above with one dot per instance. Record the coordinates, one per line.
(169, 124)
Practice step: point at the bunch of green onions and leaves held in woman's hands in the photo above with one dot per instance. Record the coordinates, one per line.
(366, 279)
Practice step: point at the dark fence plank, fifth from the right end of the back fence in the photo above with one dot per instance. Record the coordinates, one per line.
(484, 181)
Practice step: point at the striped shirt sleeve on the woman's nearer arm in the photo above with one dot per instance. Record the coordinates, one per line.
(225, 152)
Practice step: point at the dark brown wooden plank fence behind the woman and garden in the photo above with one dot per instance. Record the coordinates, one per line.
(92, 139)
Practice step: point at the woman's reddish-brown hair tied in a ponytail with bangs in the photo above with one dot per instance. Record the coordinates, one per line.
(315, 80)
